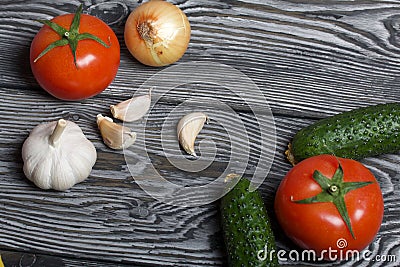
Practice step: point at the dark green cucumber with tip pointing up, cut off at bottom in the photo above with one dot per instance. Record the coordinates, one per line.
(247, 231)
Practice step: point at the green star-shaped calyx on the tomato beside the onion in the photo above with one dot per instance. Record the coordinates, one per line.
(69, 37)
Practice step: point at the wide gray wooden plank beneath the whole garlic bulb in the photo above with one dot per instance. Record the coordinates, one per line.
(110, 218)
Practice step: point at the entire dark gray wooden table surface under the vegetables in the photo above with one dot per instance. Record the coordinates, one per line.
(310, 59)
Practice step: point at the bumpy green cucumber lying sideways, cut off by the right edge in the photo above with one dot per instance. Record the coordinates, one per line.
(355, 134)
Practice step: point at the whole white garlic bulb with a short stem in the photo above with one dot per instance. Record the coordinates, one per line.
(57, 155)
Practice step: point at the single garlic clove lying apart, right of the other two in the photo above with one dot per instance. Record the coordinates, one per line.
(188, 128)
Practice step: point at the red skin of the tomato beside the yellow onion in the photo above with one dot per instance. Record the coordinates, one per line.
(96, 65)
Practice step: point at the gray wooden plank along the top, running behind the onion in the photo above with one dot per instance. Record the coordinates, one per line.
(288, 50)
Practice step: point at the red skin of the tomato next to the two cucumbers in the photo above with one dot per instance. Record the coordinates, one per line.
(319, 226)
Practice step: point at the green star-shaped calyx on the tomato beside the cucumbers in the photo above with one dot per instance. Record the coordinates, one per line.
(334, 191)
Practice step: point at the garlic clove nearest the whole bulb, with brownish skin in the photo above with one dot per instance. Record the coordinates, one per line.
(114, 135)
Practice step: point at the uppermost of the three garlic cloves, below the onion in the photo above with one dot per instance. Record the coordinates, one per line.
(132, 109)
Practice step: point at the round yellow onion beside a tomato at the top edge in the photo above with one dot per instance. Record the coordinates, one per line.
(157, 33)
